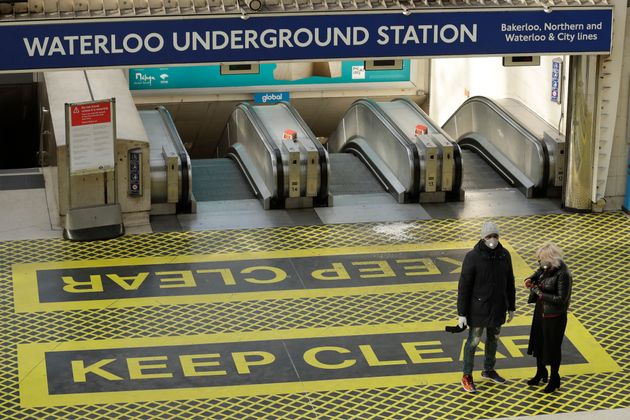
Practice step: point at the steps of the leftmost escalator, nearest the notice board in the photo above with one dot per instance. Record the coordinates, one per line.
(219, 179)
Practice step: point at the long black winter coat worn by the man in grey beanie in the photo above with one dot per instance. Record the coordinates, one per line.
(486, 286)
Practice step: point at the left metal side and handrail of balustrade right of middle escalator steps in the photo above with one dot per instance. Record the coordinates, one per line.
(367, 131)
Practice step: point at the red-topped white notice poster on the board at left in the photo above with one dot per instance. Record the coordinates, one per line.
(91, 137)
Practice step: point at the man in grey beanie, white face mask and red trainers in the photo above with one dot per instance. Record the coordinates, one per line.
(485, 293)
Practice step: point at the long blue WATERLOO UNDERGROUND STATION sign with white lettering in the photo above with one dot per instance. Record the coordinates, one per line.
(38, 45)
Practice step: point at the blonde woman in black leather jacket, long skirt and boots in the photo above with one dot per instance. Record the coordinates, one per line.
(550, 289)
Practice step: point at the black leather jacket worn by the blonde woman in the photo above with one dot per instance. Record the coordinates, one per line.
(556, 285)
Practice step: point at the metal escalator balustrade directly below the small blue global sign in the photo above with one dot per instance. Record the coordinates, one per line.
(279, 155)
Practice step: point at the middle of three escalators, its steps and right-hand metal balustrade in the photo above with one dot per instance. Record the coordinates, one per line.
(410, 157)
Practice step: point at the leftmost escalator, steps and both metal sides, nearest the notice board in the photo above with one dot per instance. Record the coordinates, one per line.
(266, 152)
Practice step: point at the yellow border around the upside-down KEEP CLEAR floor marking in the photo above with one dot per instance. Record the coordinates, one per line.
(26, 293)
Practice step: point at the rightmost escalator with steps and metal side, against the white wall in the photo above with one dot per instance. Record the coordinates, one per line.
(523, 150)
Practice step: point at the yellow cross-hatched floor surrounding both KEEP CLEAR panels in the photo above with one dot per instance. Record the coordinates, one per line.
(596, 248)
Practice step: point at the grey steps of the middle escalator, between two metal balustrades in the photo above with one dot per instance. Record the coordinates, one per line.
(350, 176)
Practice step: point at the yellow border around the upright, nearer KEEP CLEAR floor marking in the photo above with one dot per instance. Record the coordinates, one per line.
(34, 388)
